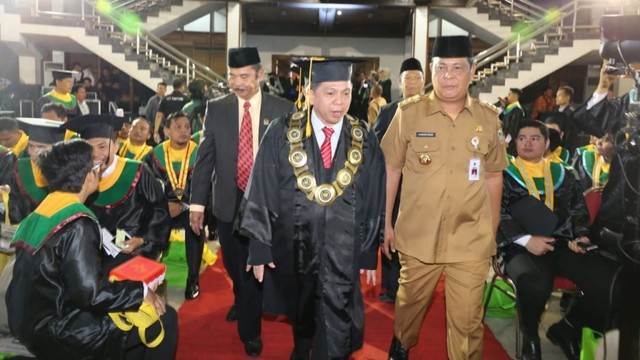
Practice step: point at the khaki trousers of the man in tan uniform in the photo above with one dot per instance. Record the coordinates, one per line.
(464, 285)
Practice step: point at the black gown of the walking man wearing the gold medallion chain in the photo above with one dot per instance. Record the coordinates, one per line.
(317, 250)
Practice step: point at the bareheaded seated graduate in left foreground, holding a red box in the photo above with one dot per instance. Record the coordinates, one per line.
(59, 299)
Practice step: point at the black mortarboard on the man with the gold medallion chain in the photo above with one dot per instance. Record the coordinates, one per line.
(323, 70)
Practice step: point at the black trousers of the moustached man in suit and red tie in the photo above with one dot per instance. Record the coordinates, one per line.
(246, 289)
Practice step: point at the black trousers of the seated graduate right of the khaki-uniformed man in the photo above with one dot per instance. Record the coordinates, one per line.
(533, 276)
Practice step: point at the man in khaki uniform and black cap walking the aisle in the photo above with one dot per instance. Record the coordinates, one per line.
(450, 151)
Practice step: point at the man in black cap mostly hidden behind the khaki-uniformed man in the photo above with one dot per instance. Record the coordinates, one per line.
(411, 83)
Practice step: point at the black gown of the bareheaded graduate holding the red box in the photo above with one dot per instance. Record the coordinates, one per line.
(65, 317)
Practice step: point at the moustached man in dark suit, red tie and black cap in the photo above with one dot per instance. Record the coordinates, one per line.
(232, 129)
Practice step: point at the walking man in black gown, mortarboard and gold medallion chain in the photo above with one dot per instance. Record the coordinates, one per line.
(315, 214)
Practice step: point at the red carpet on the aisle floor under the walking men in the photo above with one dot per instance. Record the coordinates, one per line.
(204, 333)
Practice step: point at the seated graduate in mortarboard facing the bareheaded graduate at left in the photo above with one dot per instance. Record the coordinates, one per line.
(129, 201)
